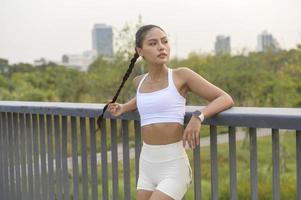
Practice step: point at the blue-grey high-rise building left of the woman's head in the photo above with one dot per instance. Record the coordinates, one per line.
(102, 40)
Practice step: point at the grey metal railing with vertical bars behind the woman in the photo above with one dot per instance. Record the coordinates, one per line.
(49, 150)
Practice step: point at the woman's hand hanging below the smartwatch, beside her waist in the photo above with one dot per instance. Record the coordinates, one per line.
(192, 133)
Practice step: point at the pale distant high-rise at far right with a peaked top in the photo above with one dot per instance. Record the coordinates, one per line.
(266, 42)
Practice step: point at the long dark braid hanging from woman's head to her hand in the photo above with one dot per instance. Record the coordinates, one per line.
(125, 77)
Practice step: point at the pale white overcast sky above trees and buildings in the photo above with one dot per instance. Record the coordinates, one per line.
(31, 29)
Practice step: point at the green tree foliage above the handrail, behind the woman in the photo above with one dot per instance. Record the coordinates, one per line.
(258, 79)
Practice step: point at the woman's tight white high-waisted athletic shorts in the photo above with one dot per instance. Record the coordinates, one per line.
(165, 168)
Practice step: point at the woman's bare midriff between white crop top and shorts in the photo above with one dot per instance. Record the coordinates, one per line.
(162, 133)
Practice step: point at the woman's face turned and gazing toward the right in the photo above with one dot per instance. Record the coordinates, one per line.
(155, 47)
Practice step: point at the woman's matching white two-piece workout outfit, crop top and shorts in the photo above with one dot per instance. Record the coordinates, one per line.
(163, 167)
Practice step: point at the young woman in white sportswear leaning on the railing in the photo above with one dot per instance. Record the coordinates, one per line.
(164, 170)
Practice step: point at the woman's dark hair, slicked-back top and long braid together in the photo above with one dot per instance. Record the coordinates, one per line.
(139, 37)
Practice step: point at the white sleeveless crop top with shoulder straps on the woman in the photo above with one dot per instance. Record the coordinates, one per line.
(165, 105)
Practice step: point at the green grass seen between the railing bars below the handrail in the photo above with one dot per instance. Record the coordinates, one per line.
(287, 171)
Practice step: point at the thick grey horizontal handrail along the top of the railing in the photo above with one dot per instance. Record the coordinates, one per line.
(256, 117)
